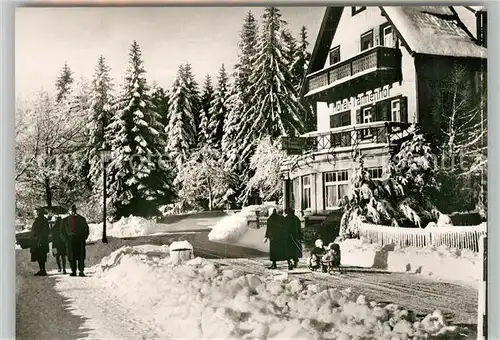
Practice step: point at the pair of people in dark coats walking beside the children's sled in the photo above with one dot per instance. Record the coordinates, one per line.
(284, 234)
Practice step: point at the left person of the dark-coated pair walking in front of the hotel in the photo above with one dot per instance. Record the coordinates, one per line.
(278, 240)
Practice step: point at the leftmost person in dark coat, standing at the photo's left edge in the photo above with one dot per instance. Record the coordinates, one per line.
(40, 242)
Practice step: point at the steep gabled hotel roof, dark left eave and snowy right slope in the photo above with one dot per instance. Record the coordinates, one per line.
(433, 30)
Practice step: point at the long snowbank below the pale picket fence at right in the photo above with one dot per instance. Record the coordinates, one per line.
(440, 262)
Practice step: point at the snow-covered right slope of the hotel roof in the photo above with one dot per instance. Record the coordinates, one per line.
(435, 30)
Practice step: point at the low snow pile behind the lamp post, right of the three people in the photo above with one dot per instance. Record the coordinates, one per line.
(125, 227)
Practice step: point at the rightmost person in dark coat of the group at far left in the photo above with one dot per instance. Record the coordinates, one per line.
(75, 232)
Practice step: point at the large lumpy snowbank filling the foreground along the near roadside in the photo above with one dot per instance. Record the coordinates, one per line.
(198, 299)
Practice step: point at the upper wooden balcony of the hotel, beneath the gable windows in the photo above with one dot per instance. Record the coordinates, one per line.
(369, 69)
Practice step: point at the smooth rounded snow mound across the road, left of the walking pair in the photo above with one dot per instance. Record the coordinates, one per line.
(232, 227)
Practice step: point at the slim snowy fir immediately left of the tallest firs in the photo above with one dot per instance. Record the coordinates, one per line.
(219, 109)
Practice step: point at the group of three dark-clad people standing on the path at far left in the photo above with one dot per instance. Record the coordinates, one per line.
(69, 236)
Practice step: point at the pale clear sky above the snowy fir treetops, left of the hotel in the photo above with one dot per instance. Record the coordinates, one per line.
(206, 37)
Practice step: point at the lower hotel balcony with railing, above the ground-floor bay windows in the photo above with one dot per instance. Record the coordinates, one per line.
(347, 139)
